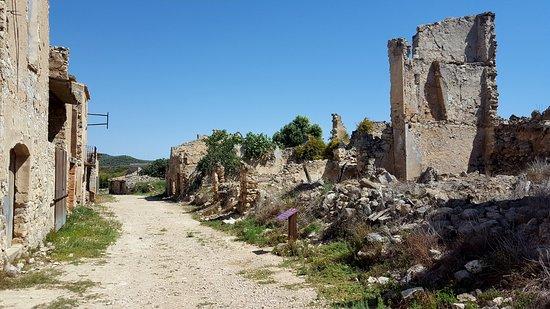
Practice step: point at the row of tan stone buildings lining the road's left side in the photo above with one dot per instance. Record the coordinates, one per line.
(44, 165)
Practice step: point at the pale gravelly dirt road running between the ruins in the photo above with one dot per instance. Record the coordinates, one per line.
(165, 259)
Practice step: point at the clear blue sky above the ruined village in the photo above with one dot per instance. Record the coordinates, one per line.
(171, 69)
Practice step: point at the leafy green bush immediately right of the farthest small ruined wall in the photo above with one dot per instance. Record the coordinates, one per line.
(221, 149)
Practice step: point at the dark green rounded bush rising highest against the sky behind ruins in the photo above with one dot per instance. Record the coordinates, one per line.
(297, 132)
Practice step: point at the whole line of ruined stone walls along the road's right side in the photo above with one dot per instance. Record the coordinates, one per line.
(443, 118)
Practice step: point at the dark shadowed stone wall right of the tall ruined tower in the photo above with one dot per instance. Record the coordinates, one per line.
(519, 142)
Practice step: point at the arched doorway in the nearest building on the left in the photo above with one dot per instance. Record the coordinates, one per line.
(18, 193)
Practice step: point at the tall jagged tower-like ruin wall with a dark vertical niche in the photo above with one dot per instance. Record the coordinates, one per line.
(444, 96)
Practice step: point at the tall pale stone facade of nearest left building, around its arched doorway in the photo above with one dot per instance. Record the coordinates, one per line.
(24, 49)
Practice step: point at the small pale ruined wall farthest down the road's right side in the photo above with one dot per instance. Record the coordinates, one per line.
(182, 166)
